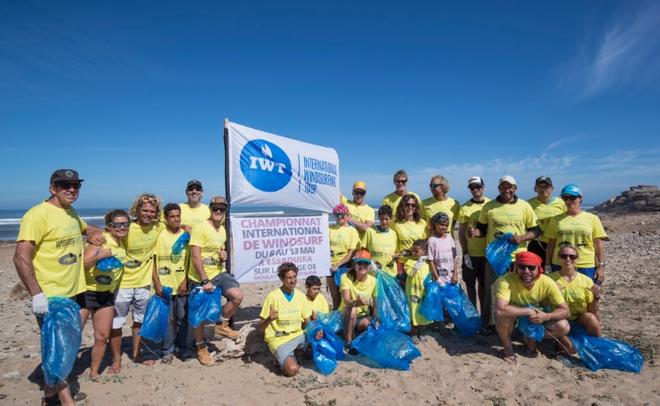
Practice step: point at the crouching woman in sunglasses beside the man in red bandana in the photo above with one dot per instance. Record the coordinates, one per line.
(580, 292)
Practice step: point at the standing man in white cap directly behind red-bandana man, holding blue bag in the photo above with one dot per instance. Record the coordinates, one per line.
(506, 214)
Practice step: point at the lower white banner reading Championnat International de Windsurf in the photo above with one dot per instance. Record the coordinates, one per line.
(261, 244)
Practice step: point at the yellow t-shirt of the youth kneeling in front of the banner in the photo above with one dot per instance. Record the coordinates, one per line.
(290, 317)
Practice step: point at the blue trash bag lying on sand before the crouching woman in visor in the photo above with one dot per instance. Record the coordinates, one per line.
(388, 348)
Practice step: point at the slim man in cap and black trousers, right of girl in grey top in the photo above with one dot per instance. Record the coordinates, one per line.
(474, 260)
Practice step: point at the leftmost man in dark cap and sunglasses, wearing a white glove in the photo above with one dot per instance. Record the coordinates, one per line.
(48, 255)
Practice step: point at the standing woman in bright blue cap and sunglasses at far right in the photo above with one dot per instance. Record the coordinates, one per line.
(582, 230)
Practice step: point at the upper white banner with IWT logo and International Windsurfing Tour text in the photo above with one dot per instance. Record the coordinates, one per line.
(270, 170)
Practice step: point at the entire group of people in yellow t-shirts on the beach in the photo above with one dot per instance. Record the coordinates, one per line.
(555, 274)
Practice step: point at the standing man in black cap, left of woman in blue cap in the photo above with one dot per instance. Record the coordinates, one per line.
(546, 206)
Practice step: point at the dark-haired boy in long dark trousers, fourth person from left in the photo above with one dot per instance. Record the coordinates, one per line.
(169, 270)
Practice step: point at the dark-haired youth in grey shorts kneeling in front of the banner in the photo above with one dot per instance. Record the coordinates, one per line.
(283, 315)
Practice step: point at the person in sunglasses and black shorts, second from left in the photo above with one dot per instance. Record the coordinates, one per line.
(99, 298)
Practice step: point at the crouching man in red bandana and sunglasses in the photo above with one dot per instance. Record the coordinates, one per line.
(522, 293)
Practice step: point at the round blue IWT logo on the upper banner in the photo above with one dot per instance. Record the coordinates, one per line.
(265, 165)
